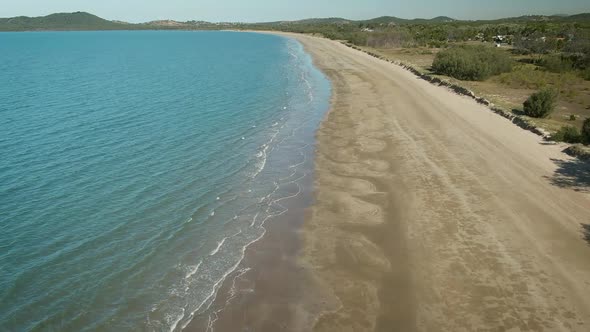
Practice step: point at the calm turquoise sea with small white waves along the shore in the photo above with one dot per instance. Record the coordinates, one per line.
(137, 167)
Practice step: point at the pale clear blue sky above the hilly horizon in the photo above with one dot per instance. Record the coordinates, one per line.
(274, 10)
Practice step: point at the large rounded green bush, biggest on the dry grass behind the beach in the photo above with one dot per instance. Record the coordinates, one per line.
(472, 63)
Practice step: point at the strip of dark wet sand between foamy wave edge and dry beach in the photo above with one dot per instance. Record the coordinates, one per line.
(266, 290)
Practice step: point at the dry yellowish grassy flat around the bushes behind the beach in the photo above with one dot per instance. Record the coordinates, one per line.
(510, 90)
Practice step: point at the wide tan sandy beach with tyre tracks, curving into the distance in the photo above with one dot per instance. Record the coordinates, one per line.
(434, 214)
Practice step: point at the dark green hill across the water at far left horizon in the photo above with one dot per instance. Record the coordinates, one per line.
(60, 21)
